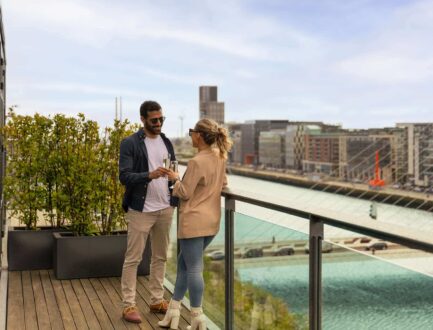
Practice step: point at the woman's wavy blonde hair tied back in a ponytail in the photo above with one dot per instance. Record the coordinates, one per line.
(213, 134)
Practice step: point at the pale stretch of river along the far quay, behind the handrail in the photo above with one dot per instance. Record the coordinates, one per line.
(327, 203)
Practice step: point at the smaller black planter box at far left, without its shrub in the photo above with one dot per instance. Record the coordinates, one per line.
(30, 249)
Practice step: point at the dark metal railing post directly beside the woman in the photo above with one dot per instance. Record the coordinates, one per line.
(229, 206)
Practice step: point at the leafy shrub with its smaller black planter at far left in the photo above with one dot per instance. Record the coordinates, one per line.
(28, 189)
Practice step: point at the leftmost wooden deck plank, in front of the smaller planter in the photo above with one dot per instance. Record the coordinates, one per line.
(15, 318)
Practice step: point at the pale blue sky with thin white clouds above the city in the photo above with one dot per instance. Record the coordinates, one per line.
(358, 63)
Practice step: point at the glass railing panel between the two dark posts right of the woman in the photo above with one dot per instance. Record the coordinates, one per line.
(266, 255)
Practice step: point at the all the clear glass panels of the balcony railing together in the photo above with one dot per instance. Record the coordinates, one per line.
(272, 279)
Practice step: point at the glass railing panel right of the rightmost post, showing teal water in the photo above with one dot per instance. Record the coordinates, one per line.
(366, 292)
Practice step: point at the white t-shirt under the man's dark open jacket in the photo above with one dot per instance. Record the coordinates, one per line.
(158, 195)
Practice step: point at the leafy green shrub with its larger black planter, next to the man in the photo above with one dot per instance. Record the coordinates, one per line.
(96, 247)
